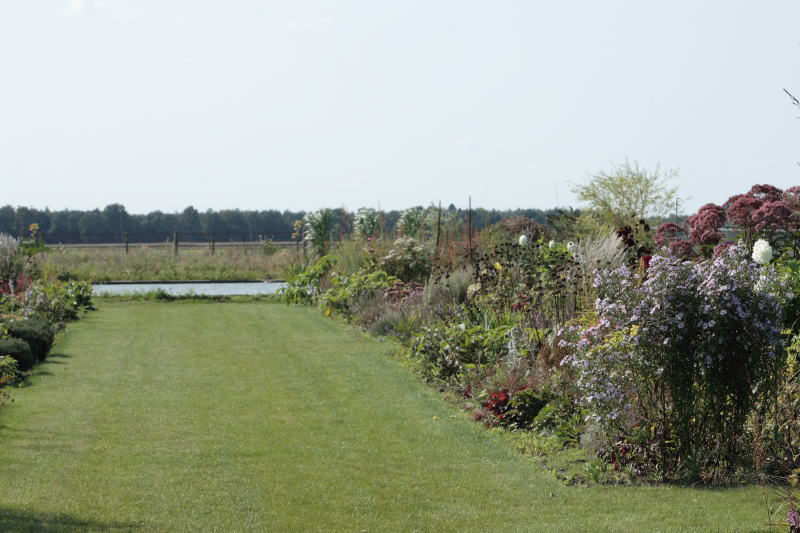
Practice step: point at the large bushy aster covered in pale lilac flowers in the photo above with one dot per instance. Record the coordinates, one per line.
(686, 352)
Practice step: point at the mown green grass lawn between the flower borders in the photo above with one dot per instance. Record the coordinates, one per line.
(247, 416)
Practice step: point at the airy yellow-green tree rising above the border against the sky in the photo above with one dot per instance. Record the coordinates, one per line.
(628, 191)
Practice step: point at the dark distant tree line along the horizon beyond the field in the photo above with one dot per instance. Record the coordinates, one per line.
(111, 223)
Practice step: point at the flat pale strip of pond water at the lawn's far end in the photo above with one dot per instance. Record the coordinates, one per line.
(182, 288)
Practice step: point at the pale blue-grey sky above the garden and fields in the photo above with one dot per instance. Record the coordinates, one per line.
(259, 104)
